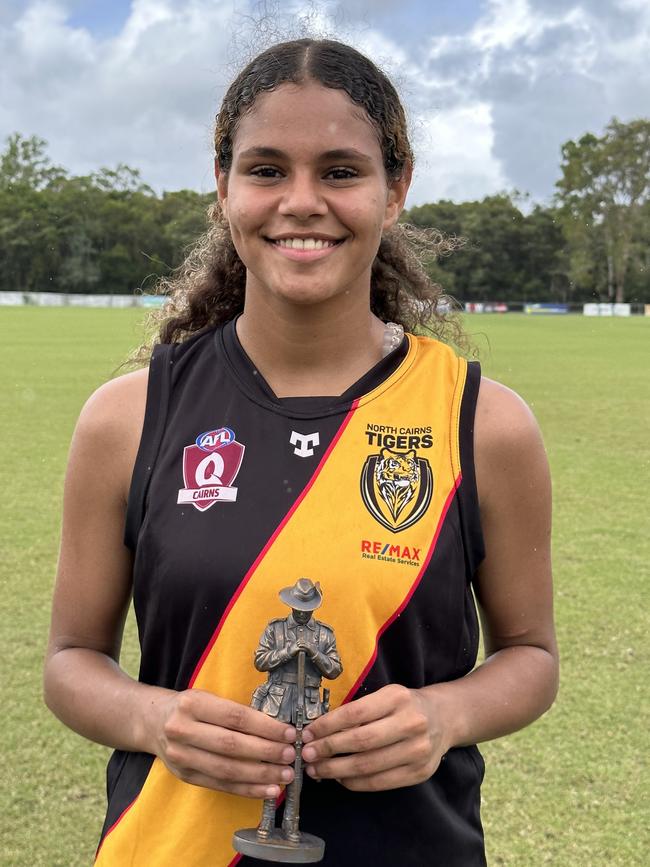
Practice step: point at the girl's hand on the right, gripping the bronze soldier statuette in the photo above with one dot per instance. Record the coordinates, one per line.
(385, 740)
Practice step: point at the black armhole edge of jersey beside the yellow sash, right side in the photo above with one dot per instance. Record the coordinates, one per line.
(470, 515)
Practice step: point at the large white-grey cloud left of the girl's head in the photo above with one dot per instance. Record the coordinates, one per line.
(144, 97)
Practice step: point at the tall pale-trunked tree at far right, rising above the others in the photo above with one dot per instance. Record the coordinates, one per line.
(603, 193)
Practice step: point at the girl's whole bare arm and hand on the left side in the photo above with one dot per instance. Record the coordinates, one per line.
(203, 739)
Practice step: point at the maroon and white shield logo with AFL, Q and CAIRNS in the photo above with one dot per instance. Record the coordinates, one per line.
(210, 466)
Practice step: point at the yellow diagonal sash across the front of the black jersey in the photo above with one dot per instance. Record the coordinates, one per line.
(172, 822)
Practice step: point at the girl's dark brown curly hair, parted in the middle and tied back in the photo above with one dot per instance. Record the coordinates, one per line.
(208, 288)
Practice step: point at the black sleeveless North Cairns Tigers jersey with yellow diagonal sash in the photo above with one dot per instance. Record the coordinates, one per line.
(236, 494)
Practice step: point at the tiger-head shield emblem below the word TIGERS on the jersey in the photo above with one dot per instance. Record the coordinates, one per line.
(396, 488)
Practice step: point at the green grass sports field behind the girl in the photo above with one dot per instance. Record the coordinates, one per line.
(573, 790)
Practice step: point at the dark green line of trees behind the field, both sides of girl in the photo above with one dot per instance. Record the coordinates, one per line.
(108, 232)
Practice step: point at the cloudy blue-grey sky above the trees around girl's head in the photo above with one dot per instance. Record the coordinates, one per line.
(492, 87)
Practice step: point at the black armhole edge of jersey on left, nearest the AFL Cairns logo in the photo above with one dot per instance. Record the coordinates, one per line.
(155, 416)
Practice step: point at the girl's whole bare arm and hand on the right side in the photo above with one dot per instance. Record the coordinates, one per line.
(396, 736)
